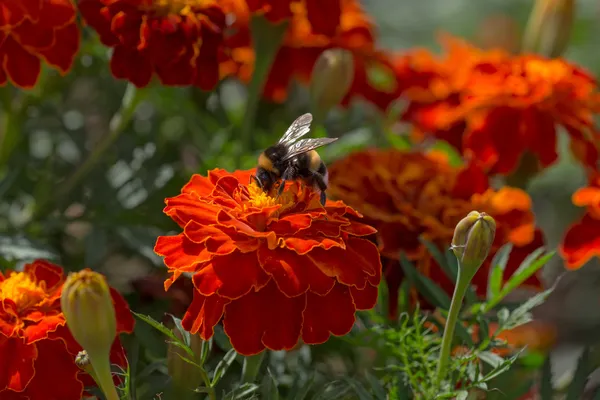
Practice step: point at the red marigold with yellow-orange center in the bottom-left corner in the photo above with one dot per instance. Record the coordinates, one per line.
(36, 347)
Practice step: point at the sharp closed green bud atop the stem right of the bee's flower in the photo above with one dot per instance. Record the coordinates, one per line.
(473, 238)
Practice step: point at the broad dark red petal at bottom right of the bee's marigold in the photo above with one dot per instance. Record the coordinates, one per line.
(329, 314)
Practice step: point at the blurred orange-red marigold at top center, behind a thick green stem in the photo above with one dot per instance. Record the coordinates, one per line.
(313, 28)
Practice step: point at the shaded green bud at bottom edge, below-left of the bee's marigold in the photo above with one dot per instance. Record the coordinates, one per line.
(185, 376)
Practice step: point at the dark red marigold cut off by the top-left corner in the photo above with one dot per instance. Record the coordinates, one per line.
(32, 31)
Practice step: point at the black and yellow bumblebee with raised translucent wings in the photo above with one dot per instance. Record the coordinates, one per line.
(291, 159)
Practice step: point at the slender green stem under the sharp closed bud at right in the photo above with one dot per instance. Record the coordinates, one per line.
(462, 284)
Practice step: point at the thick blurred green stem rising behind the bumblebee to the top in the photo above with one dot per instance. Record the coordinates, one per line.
(267, 39)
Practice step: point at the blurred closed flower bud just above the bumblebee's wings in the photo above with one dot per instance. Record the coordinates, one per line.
(331, 79)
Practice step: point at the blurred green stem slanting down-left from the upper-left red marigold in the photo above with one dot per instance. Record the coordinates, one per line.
(131, 99)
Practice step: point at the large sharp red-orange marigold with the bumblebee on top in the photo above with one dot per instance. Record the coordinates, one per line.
(276, 269)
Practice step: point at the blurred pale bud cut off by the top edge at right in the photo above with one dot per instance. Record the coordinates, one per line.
(549, 27)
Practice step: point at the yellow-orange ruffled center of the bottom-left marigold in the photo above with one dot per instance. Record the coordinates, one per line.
(22, 290)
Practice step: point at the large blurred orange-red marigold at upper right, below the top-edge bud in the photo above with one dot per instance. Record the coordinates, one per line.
(495, 107)
